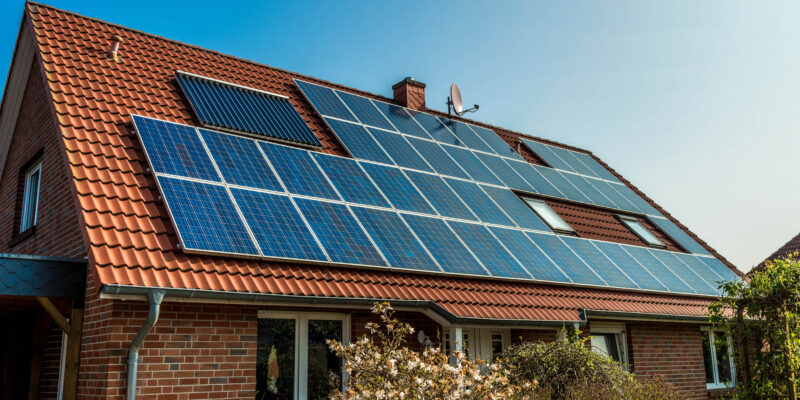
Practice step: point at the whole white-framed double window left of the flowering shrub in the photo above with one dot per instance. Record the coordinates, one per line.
(293, 360)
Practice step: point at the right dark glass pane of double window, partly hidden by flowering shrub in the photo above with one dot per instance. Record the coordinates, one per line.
(322, 362)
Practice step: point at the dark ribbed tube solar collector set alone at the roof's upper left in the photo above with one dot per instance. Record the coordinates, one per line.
(228, 106)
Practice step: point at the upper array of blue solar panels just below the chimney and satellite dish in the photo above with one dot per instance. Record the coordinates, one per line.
(409, 139)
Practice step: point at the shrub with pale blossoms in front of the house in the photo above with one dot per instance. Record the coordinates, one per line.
(380, 367)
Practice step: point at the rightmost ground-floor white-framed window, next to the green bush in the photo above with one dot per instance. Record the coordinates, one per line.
(720, 370)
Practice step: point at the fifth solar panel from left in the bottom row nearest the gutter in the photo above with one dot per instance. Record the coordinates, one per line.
(444, 245)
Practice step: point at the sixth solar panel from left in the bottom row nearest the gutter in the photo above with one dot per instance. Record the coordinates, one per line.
(494, 257)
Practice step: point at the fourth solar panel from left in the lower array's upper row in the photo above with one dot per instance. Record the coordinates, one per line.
(353, 184)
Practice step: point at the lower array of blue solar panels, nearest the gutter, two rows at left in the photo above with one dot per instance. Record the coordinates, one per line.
(241, 196)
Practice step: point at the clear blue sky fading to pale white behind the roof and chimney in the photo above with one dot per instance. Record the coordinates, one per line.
(696, 103)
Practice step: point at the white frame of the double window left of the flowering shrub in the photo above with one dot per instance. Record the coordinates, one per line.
(301, 342)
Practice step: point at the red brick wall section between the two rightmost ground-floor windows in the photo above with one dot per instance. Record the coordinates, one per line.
(673, 352)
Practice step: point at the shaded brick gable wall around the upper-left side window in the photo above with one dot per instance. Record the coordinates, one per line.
(57, 232)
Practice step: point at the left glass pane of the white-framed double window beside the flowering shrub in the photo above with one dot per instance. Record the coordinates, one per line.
(275, 359)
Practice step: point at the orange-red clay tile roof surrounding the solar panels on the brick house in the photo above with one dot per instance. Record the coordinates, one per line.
(131, 240)
